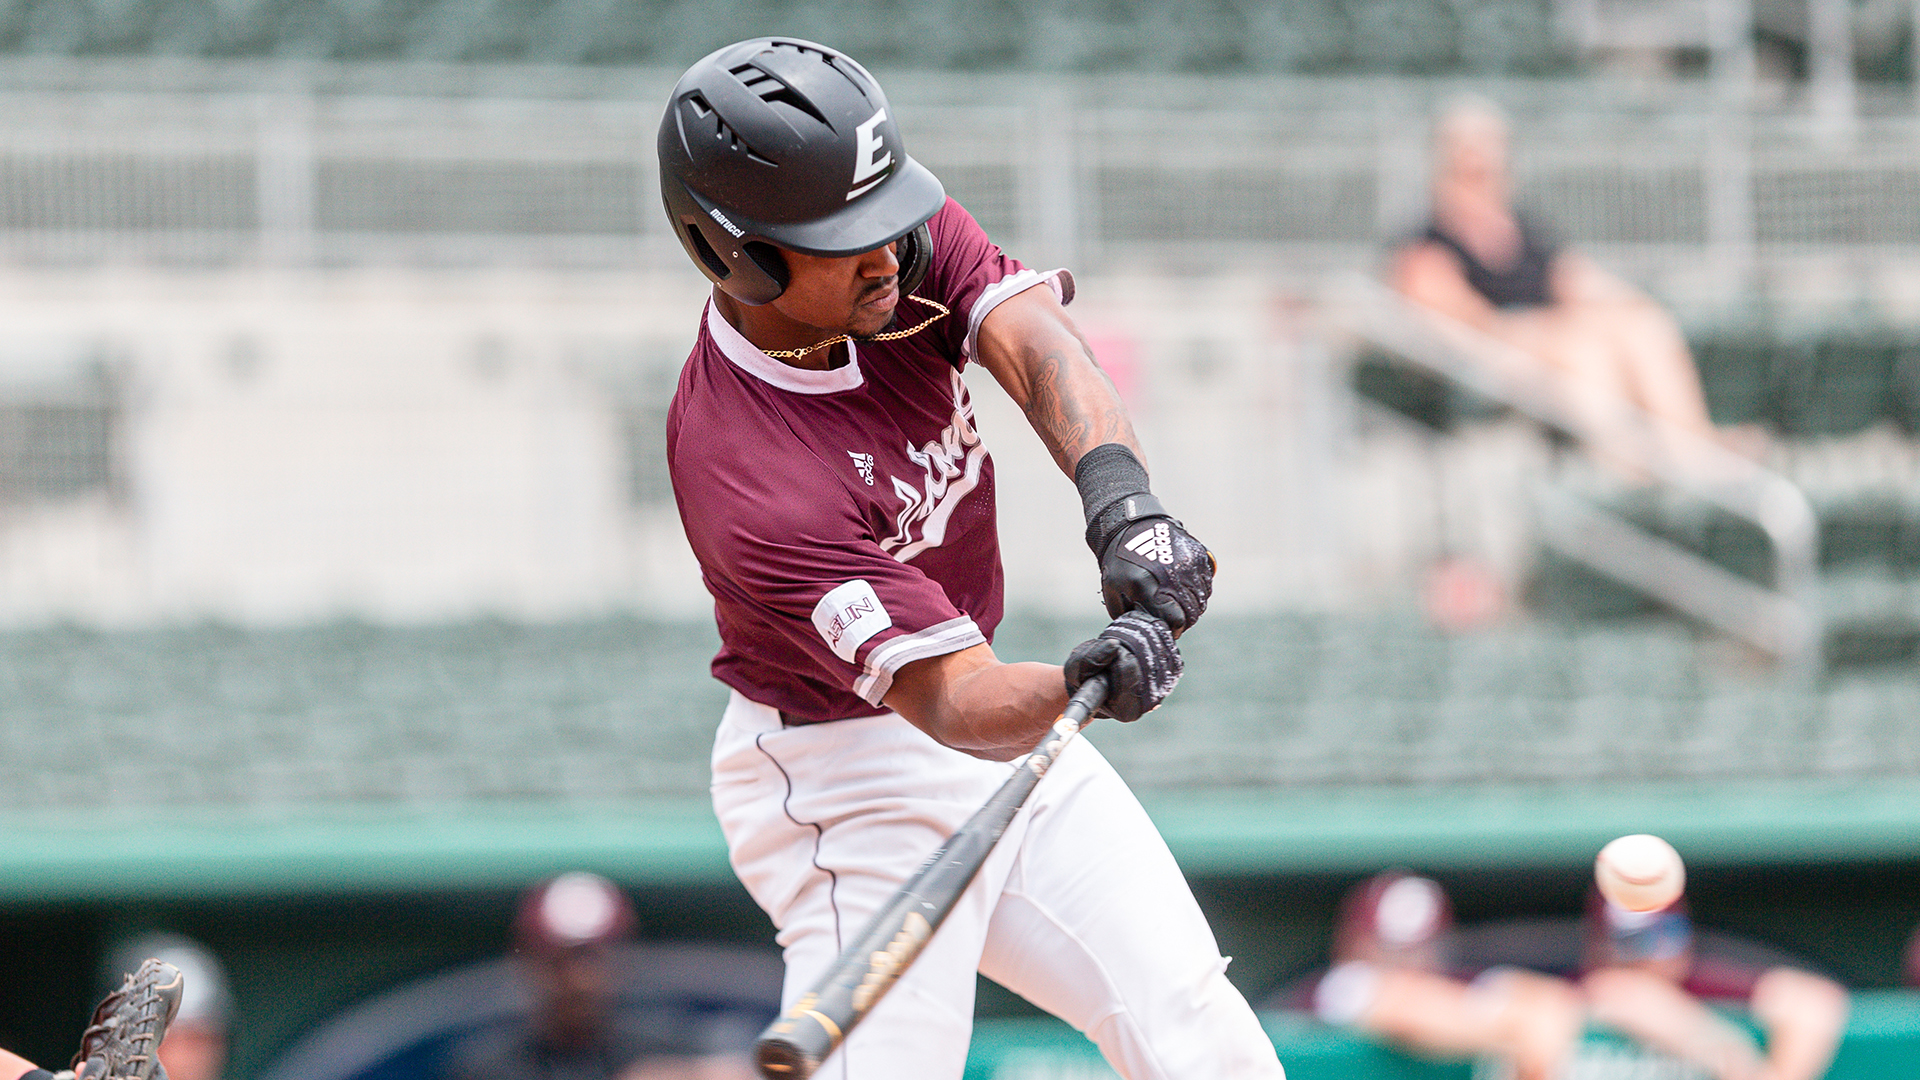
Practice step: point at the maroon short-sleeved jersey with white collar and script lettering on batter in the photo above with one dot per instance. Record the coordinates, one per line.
(844, 520)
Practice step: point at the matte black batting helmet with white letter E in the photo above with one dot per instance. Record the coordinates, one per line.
(782, 143)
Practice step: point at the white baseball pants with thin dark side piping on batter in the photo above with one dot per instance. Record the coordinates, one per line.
(1080, 910)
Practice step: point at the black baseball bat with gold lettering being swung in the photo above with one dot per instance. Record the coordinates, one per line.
(805, 1035)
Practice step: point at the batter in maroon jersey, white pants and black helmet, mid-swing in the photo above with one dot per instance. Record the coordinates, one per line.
(840, 501)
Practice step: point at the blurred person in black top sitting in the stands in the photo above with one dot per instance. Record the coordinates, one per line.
(1500, 272)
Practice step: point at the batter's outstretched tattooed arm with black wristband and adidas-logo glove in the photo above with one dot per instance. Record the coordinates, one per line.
(1147, 558)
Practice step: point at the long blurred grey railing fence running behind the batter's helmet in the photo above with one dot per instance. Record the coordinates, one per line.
(429, 166)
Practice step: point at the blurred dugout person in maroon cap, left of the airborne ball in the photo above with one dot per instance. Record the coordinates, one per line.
(1393, 977)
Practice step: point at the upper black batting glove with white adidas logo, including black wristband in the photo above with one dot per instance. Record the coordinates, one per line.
(1147, 560)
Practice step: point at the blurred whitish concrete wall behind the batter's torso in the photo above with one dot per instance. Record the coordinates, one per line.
(421, 447)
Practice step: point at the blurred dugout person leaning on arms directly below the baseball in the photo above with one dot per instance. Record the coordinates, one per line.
(1646, 979)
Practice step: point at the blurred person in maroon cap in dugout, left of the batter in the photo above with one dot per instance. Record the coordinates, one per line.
(565, 941)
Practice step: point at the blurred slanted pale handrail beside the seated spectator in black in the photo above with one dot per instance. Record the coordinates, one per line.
(1783, 620)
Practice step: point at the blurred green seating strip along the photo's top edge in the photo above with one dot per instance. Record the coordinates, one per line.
(1216, 36)
